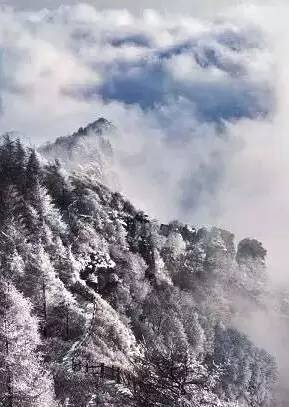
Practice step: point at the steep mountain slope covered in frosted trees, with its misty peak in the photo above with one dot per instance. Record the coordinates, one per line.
(103, 306)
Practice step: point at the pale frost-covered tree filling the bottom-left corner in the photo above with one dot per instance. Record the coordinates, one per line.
(24, 382)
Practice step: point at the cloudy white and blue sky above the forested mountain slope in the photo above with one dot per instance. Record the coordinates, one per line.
(200, 99)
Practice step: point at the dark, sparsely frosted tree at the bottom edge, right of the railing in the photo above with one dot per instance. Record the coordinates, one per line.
(173, 377)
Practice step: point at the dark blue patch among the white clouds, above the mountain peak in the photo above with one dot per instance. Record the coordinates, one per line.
(210, 101)
